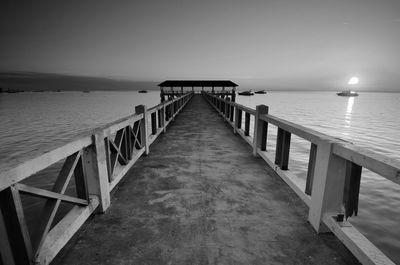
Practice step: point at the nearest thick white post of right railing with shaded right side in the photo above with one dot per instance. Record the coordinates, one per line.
(328, 185)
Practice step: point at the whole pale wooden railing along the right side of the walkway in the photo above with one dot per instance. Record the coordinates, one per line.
(333, 175)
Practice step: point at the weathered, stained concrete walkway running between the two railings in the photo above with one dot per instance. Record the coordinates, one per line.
(200, 197)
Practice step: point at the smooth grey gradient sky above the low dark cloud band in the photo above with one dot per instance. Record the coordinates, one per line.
(271, 44)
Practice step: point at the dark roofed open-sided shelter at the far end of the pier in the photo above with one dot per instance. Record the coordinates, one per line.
(167, 88)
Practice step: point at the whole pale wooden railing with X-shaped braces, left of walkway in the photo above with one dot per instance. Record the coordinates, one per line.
(95, 163)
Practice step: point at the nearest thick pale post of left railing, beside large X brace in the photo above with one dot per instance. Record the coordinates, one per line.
(95, 166)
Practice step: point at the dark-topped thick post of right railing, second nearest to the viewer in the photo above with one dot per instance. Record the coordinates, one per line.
(260, 129)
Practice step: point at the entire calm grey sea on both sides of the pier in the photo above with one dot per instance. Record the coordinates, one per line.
(33, 123)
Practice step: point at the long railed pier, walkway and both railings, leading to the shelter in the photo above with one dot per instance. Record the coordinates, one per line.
(187, 182)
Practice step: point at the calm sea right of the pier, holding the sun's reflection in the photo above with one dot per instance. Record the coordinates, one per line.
(372, 121)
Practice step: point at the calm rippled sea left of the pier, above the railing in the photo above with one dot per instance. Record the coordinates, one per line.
(32, 123)
